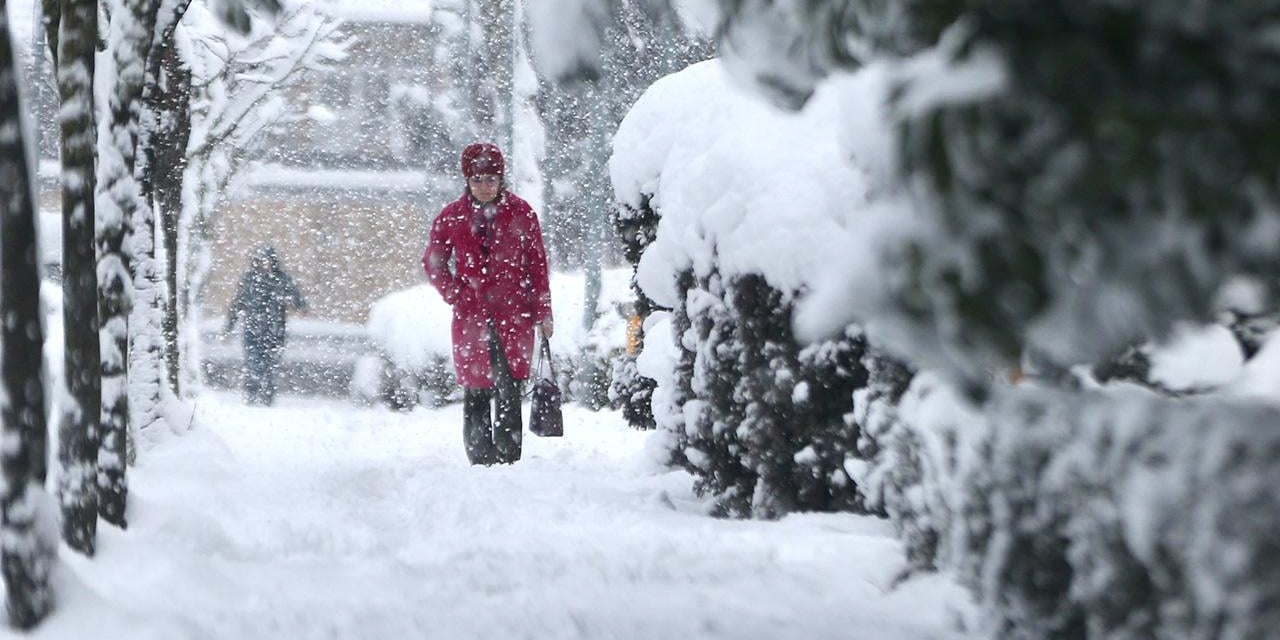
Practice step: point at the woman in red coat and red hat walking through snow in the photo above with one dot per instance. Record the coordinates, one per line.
(487, 259)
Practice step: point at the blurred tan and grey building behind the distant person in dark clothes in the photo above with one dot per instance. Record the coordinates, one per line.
(346, 193)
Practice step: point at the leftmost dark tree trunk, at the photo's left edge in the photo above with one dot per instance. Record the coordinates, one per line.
(30, 552)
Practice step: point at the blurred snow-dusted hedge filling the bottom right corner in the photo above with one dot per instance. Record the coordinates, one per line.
(1114, 513)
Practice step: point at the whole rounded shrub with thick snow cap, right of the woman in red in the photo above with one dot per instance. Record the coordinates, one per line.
(746, 223)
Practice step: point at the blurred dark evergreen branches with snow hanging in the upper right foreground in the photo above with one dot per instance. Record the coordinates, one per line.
(1064, 194)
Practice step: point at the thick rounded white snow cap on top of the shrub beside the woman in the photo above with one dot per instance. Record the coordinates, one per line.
(739, 185)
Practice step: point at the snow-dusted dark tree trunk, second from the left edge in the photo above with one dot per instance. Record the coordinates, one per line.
(79, 438)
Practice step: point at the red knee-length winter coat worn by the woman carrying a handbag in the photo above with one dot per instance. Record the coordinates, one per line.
(508, 284)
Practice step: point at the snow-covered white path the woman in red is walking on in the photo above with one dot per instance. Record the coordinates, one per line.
(319, 520)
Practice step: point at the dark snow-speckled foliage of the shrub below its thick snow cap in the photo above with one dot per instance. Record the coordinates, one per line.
(766, 426)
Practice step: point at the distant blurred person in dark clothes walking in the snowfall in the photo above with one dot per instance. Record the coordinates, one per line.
(263, 301)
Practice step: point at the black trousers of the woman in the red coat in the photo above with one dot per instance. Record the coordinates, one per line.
(493, 437)
